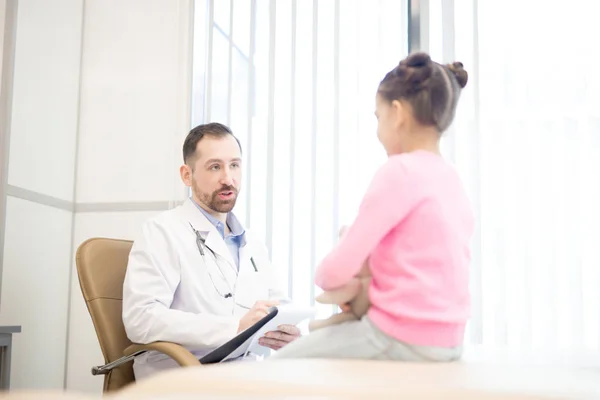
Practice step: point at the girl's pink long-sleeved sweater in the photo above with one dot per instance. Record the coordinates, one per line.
(414, 224)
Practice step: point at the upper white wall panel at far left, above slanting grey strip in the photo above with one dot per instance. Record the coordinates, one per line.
(45, 97)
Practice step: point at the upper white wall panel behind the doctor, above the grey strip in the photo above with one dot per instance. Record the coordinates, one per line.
(133, 100)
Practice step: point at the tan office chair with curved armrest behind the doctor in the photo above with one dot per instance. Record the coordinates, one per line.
(101, 265)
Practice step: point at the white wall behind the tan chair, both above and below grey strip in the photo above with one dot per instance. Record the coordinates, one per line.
(134, 116)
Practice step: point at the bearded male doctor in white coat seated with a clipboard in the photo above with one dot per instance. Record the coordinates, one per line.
(195, 276)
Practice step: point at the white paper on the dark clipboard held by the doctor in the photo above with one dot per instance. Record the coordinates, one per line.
(288, 314)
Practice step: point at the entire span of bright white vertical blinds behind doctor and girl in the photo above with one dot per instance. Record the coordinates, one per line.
(296, 81)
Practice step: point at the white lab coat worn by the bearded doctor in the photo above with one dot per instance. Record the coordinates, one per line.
(173, 293)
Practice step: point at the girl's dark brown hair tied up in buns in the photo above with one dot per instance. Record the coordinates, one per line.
(430, 88)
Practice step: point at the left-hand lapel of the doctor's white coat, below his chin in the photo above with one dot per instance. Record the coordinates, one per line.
(213, 239)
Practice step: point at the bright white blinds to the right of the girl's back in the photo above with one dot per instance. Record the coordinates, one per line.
(527, 141)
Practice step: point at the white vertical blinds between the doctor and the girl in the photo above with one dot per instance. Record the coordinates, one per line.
(296, 80)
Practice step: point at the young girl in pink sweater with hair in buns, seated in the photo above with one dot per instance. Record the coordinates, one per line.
(414, 226)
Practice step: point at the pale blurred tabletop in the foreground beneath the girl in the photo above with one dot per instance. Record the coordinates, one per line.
(369, 380)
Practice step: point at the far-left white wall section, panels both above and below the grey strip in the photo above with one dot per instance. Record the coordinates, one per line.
(36, 267)
